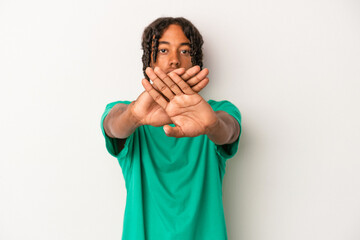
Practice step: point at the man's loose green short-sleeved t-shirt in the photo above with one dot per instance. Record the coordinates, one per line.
(174, 185)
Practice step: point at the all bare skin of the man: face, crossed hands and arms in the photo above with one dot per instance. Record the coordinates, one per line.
(173, 97)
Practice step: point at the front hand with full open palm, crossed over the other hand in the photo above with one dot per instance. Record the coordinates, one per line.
(190, 113)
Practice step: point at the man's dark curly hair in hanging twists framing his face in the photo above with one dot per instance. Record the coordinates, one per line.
(153, 32)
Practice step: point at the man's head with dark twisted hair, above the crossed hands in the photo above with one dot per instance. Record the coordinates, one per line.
(171, 43)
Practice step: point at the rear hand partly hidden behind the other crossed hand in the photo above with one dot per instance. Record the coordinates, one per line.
(147, 112)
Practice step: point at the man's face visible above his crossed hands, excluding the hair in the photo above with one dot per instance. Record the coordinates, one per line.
(173, 51)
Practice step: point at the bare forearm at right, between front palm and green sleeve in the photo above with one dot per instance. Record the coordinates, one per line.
(225, 131)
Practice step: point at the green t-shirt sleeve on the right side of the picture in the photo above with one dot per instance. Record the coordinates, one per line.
(227, 151)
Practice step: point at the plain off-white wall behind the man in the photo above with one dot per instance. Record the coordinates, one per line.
(291, 67)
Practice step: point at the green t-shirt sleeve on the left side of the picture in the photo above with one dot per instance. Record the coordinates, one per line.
(112, 144)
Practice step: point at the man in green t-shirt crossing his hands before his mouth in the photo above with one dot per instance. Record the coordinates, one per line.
(171, 144)
